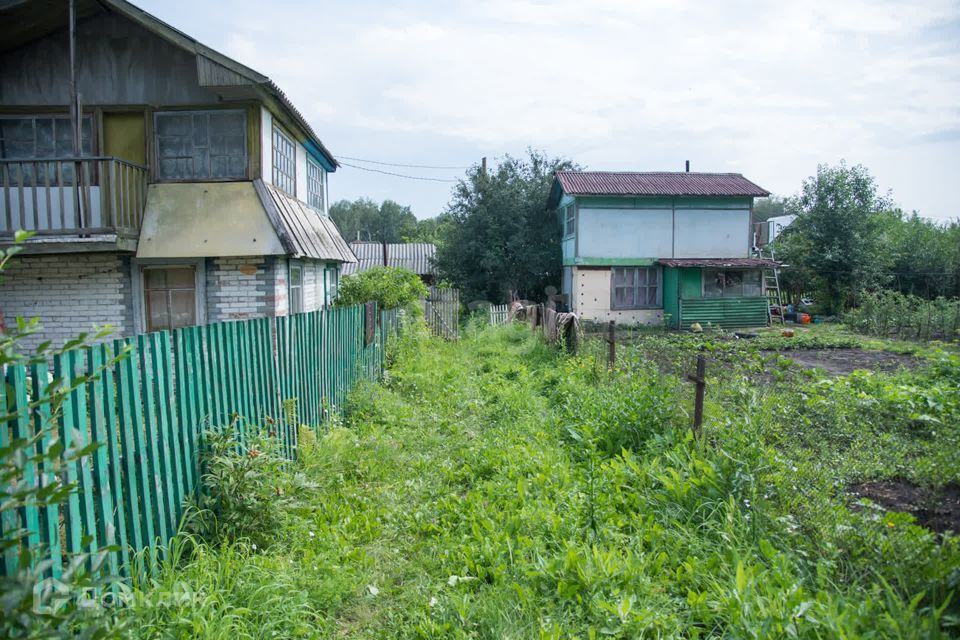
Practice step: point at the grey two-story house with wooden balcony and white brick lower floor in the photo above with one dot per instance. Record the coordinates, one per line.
(199, 193)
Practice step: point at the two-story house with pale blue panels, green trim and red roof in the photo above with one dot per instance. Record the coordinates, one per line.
(645, 248)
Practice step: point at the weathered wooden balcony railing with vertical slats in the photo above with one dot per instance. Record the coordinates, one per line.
(87, 196)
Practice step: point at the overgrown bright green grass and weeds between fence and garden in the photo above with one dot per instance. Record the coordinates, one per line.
(494, 488)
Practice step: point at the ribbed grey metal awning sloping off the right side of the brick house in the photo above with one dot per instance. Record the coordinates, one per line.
(303, 231)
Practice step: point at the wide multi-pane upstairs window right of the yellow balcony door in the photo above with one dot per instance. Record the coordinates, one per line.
(201, 145)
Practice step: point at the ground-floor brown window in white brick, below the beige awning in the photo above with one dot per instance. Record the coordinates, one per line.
(170, 297)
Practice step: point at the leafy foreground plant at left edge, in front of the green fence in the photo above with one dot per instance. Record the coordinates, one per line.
(44, 597)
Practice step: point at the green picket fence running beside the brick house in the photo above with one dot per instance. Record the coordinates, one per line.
(150, 408)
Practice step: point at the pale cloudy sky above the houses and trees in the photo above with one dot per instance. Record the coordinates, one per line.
(766, 89)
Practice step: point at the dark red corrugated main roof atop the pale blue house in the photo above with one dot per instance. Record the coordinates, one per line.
(657, 183)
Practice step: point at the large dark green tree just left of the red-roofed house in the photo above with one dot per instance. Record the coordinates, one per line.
(500, 239)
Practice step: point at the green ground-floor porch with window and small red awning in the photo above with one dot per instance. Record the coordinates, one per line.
(720, 297)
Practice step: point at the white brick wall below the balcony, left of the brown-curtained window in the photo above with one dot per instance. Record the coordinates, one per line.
(70, 293)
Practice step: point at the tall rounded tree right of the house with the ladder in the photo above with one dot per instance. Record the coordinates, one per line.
(836, 239)
